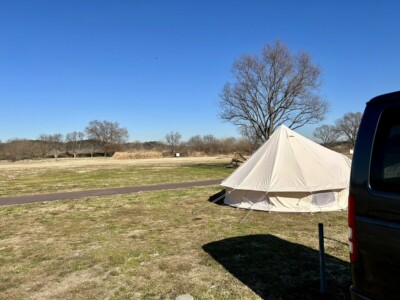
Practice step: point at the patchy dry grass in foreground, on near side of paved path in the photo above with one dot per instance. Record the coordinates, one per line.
(149, 245)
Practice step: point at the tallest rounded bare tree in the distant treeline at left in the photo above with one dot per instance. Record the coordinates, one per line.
(107, 134)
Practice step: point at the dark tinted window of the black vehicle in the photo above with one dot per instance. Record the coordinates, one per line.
(385, 161)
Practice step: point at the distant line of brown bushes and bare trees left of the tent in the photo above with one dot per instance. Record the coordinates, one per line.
(55, 146)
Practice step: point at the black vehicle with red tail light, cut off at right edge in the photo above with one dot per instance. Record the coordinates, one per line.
(374, 202)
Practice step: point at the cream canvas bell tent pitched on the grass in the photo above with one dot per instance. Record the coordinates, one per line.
(290, 173)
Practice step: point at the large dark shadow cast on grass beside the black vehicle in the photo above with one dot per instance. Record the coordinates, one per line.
(277, 269)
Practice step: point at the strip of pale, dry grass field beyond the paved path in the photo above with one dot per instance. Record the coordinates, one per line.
(46, 176)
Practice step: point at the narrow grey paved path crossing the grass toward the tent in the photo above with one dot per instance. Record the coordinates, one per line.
(103, 192)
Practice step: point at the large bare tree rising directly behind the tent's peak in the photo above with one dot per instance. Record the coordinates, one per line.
(273, 88)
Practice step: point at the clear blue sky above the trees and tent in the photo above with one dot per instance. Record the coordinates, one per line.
(159, 66)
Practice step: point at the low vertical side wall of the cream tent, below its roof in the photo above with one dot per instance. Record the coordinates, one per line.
(288, 201)
